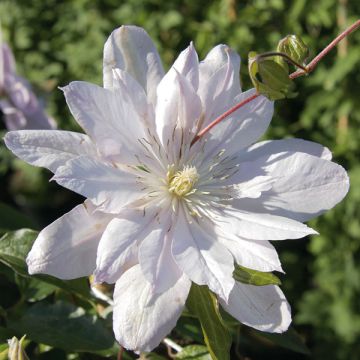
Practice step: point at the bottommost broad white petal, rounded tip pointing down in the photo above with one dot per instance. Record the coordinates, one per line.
(143, 318)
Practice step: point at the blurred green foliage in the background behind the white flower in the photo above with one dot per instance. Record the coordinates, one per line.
(56, 42)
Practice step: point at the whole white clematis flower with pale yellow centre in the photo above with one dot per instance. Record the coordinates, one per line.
(161, 213)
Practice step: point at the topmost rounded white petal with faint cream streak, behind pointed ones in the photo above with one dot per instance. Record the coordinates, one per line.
(131, 49)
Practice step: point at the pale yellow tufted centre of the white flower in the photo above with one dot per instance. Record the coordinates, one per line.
(181, 183)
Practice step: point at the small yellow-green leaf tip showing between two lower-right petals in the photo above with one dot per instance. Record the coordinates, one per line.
(254, 277)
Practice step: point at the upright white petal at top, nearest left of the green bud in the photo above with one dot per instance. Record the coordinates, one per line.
(219, 81)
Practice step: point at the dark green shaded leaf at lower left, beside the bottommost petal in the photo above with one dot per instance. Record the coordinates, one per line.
(63, 325)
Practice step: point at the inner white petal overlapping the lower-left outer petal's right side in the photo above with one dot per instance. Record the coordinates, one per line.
(118, 247)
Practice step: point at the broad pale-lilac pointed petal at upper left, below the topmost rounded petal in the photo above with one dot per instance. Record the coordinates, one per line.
(104, 115)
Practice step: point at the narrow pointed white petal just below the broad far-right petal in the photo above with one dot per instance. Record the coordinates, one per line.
(259, 226)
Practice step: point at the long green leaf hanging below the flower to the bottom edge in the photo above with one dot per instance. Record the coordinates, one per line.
(202, 303)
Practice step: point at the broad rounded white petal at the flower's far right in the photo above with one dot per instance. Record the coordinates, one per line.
(305, 186)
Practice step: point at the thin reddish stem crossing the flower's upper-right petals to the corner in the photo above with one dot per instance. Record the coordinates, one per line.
(309, 68)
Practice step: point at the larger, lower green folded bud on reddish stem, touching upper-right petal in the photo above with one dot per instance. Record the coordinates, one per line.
(270, 78)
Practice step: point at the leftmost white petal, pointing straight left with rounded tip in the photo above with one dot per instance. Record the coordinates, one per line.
(49, 148)
